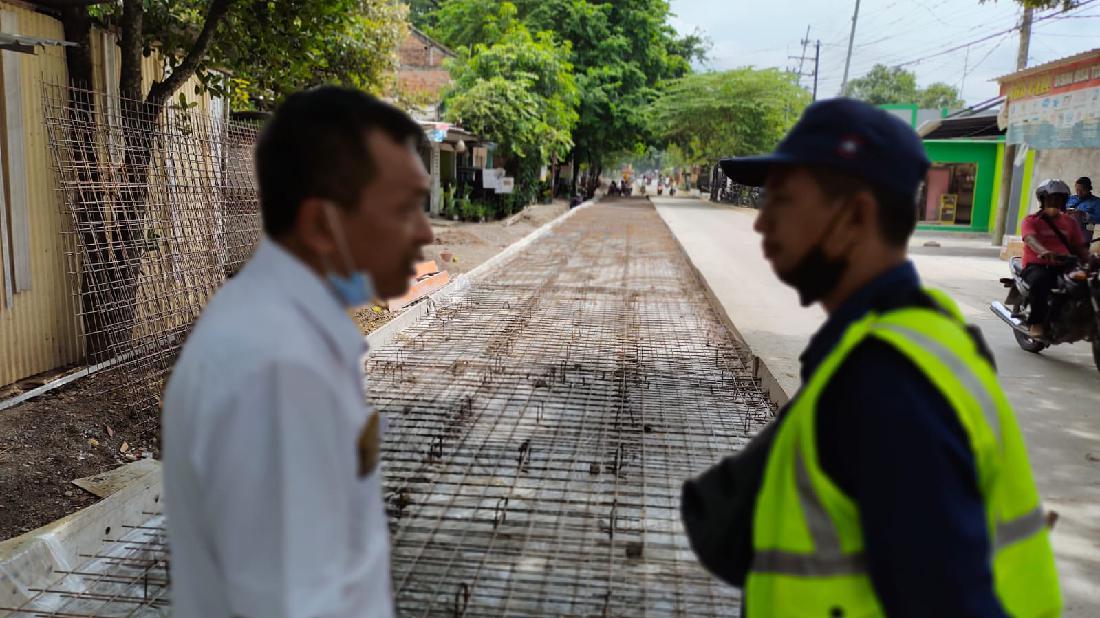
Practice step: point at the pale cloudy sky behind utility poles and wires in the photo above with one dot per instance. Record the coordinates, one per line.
(918, 35)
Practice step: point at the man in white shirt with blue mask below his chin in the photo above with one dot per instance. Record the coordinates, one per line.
(271, 450)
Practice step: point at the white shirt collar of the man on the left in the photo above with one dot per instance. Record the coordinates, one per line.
(287, 273)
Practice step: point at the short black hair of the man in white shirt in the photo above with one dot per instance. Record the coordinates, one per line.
(315, 147)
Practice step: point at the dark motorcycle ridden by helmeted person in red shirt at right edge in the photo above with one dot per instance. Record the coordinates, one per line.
(1076, 297)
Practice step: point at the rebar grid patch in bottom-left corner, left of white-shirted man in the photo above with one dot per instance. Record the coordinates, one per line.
(127, 578)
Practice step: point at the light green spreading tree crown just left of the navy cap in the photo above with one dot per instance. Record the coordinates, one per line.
(738, 113)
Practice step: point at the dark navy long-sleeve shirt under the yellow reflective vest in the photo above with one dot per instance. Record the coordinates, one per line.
(893, 444)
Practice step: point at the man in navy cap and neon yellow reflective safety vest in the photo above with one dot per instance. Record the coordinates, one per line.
(897, 481)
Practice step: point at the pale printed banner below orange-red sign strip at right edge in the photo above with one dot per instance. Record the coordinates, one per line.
(1064, 120)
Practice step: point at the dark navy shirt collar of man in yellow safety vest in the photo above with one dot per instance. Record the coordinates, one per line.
(899, 279)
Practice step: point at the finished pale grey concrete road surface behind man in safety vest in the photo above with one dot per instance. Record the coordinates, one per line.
(1057, 394)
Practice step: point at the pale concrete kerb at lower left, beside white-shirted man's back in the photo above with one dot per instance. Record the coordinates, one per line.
(32, 560)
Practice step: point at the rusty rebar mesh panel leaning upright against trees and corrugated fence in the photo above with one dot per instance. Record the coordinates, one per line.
(163, 208)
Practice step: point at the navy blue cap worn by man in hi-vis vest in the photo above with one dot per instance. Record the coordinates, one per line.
(848, 136)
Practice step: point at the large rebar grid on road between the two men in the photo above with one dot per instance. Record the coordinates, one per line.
(542, 426)
